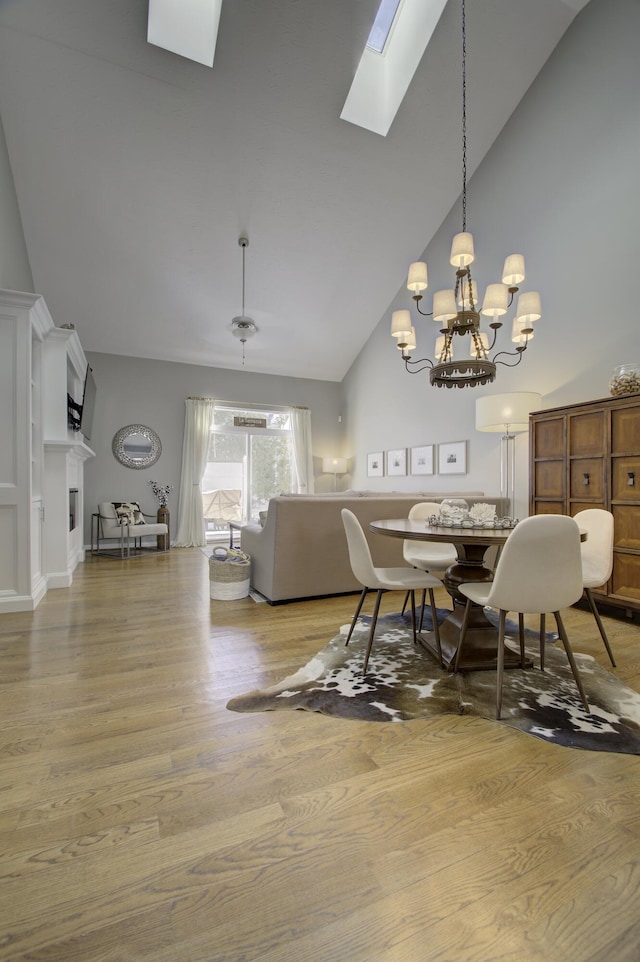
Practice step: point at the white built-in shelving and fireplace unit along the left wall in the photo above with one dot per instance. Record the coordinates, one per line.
(41, 459)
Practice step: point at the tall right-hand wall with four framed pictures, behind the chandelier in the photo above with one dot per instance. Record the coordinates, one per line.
(560, 186)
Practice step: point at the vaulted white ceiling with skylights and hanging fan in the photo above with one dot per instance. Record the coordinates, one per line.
(137, 170)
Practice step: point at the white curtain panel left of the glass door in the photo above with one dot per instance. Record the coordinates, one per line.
(197, 430)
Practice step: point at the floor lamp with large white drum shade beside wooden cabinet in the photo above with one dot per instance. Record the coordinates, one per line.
(507, 414)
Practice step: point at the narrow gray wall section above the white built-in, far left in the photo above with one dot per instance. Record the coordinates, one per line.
(15, 270)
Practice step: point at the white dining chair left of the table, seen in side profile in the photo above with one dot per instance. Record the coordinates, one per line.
(384, 579)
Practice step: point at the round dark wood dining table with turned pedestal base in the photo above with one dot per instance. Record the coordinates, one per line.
(471, 544)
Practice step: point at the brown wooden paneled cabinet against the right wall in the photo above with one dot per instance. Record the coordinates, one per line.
(588, 456)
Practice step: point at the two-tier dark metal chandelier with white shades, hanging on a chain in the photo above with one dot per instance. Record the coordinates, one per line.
(456, 310)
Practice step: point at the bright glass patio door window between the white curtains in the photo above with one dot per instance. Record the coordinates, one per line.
(249, 462)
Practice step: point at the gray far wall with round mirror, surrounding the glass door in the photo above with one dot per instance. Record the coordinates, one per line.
(136, 391)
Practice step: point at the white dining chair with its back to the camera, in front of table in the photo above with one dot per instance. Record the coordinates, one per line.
(540, 570)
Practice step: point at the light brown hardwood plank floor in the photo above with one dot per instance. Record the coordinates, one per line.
(141, 821)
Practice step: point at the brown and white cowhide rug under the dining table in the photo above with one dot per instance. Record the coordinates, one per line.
(404, 682)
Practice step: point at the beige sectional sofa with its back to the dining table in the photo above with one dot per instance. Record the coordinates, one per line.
(301, 550)
